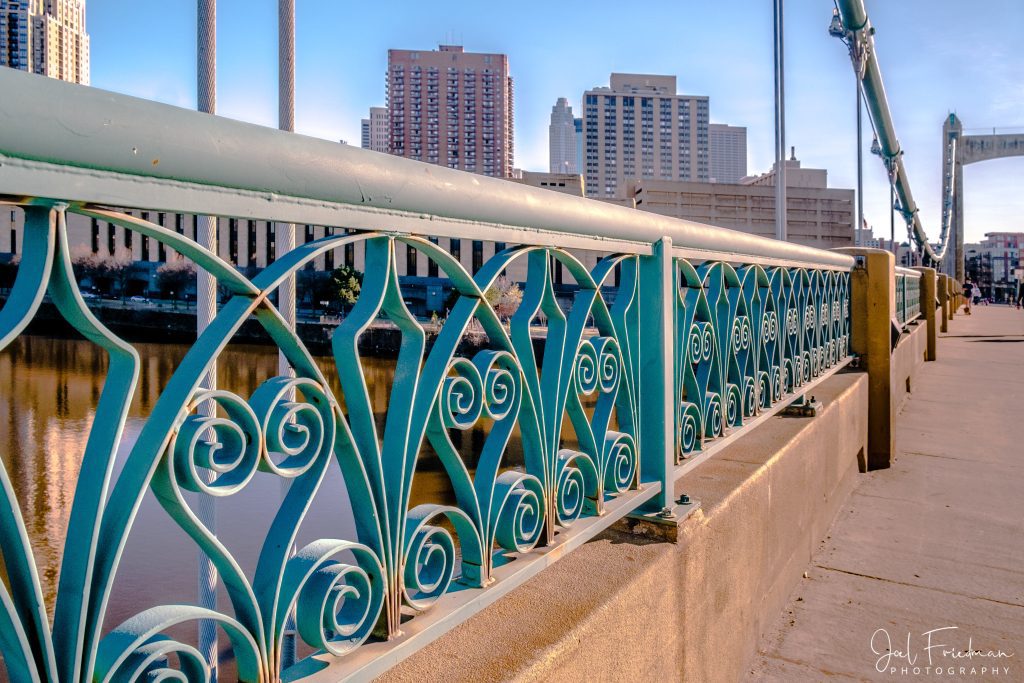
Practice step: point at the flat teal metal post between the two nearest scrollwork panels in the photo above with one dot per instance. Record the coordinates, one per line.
(657, 371)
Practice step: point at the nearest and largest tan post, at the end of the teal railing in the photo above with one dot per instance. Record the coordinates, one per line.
(873, 307)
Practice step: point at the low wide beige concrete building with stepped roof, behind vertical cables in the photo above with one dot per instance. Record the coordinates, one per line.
(817, 216)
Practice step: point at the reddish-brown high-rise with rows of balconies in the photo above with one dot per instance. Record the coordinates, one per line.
(452, 108)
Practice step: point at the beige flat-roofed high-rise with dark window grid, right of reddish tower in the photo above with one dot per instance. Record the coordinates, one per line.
(639, 127)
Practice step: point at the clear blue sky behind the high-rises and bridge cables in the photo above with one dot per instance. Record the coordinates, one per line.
(937, 57)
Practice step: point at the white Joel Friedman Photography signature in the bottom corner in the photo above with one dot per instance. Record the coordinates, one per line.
(936, 653)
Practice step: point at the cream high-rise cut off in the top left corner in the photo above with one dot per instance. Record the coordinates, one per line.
(46, 37)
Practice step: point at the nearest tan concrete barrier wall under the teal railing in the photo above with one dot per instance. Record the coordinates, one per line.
(625, 608)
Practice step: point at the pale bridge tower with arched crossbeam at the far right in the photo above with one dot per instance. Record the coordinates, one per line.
(970, 150)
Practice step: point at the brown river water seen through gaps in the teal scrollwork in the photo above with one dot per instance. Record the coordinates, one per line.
(49, 393)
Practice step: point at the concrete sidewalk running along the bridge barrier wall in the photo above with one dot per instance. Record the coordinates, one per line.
(937, 541)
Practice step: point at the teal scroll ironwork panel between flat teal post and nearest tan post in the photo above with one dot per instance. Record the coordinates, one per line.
(749, 336)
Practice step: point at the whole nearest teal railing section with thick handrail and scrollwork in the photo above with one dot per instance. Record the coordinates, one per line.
(703, 334)
